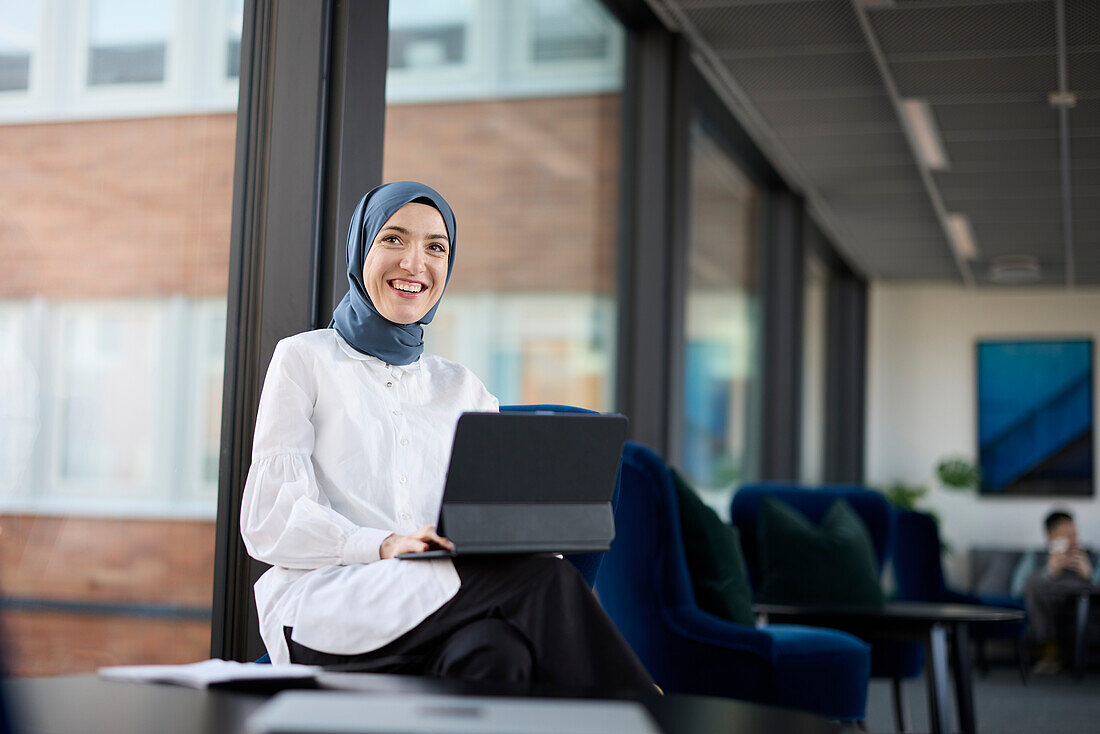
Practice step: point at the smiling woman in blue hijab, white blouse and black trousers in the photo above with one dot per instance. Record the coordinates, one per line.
(351, 447)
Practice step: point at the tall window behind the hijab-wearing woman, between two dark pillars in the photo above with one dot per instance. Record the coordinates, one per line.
(531, 168)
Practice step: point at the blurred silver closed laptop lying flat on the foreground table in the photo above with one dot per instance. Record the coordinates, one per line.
(333, 713)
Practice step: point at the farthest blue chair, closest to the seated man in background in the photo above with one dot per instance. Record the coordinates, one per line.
(920, 577)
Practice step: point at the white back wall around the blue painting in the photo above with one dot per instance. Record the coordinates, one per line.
(921, 400)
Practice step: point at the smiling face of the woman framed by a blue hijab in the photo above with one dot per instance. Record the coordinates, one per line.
(405, 270)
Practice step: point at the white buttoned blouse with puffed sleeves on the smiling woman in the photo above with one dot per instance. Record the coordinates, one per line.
(349, 450)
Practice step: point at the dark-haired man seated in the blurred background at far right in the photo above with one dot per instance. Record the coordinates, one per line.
(1050, 584)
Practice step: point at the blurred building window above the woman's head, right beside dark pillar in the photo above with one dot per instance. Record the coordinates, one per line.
(426, 35)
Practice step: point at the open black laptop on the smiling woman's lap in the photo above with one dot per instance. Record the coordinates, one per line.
(531, 483)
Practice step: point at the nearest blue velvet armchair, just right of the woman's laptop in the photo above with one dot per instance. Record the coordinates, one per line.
(645, 587)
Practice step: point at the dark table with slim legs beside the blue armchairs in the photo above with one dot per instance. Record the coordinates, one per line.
(929, 622)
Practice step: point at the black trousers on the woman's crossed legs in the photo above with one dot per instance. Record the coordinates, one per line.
(516, 619)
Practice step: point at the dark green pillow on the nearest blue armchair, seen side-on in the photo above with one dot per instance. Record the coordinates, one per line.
(716, 564)
